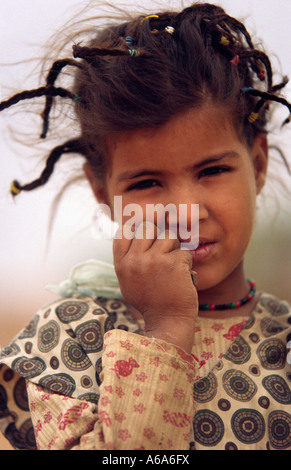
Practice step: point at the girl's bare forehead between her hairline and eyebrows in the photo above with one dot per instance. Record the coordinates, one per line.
(196, 132)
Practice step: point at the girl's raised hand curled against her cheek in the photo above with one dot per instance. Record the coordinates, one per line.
(155, 278)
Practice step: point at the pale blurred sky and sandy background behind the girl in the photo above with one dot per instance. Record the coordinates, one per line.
(43, 236)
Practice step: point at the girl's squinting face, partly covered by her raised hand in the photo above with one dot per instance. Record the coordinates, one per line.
(195, 158)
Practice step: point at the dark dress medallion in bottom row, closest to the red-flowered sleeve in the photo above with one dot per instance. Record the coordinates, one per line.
(208, 428)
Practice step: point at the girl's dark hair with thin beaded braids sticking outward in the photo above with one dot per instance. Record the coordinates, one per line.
(143, 71)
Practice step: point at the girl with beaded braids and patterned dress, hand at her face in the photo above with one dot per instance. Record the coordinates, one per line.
(173, 109)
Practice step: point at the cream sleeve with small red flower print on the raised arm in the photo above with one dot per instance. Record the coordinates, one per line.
(146, 401)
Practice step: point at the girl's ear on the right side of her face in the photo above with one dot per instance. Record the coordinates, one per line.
(260, 160)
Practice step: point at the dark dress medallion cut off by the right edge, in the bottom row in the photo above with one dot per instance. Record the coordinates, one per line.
(280, 429)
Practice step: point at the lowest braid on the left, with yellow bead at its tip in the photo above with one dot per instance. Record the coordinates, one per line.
(72, 146)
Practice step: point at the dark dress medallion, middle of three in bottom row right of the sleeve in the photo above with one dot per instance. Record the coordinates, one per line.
(248, 425)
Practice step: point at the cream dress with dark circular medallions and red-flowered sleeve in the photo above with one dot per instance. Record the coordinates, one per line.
(81, 375)
